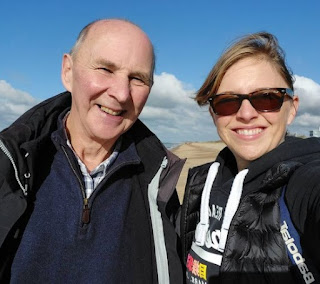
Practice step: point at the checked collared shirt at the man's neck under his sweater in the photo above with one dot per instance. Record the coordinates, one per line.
(93, 178)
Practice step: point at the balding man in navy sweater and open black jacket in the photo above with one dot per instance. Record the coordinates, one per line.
(87, 193)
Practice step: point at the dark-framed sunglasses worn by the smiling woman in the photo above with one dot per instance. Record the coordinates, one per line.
(266, 100)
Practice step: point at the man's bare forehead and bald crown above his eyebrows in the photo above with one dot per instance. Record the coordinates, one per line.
(117, 42)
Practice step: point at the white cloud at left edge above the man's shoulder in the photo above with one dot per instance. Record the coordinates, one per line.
(13, 103)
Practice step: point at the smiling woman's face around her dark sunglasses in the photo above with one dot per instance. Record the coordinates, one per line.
(249, 134)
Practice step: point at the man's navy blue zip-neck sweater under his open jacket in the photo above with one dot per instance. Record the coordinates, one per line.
(58, 248)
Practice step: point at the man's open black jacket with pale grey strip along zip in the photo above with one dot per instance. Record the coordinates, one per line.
(26, 153)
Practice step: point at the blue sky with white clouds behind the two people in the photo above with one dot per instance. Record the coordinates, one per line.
(188, 37)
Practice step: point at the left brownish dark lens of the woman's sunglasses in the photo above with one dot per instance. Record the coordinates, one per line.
(226, 104)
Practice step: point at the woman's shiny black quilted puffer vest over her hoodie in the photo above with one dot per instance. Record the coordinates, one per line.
(255, 251)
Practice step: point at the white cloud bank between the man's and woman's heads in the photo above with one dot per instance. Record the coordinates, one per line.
(173, 115)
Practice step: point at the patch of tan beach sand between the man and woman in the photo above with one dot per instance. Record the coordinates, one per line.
(197, 153)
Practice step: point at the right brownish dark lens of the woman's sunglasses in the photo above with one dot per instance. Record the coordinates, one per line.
(267, 100)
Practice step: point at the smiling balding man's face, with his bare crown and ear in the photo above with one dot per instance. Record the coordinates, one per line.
(109, 79)
